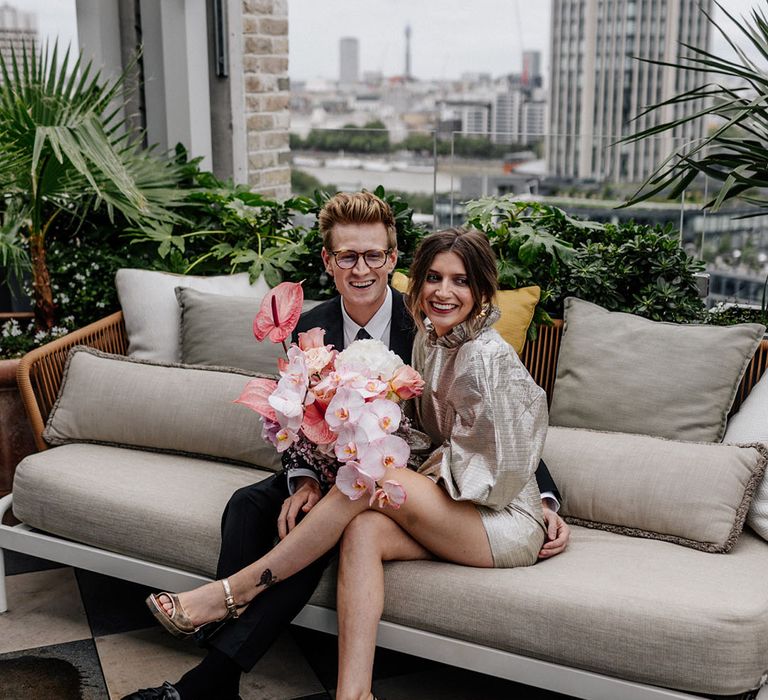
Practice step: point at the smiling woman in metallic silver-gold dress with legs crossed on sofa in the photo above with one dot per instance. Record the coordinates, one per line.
(489, 418)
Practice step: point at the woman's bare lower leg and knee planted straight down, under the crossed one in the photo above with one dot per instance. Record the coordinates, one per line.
(369, 540)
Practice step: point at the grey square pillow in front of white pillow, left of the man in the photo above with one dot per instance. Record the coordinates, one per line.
(218, 330)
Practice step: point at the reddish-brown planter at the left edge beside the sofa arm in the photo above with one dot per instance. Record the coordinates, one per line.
(16, 439)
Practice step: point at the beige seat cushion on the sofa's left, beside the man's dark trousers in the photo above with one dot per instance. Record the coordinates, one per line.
(161, 508)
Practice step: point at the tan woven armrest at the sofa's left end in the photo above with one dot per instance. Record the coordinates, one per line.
(40, 372)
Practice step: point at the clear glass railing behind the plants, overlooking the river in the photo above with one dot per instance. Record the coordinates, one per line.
(438, 172)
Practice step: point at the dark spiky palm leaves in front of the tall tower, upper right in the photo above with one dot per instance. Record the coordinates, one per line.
(735, 153)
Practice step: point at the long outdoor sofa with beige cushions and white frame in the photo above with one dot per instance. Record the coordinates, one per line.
(635, 608)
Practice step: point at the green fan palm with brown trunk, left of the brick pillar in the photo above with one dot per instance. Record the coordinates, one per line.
(66, 148)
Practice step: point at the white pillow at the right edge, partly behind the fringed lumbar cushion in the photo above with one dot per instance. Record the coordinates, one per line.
(750, 424)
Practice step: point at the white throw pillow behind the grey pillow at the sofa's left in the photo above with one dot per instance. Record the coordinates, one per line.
(152, 315)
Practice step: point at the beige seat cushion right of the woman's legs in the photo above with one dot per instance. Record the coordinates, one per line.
(639, 609)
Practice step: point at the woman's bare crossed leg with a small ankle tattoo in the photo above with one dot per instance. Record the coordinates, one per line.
(428, 514)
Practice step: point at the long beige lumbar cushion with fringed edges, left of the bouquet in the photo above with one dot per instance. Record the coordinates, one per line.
(115, 400)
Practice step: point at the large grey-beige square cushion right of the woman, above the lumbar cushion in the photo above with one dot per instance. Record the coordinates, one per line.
(625, 373)
